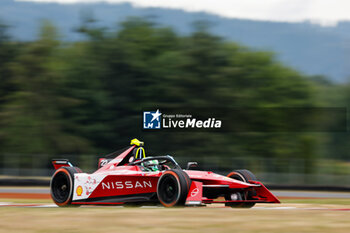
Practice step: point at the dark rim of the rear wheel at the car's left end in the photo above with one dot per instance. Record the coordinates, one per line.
(60, 187)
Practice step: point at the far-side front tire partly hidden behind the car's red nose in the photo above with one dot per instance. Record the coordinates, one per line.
(242, 175)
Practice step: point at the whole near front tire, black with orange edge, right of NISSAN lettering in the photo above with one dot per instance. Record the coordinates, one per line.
(173, 187)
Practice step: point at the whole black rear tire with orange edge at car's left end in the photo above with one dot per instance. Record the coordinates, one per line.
(62, 184)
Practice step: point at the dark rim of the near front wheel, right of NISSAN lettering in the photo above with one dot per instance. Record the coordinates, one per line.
(168, 189)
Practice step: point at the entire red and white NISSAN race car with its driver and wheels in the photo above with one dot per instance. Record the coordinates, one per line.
(130, 177)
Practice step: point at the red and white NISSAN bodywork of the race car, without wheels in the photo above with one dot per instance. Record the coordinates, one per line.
(118, 182)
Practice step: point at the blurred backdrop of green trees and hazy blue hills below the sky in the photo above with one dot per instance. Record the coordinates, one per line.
(74, 79)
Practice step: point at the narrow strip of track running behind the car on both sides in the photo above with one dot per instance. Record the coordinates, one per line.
(45, 192)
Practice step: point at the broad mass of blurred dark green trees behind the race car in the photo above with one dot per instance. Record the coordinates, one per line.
(87, 96)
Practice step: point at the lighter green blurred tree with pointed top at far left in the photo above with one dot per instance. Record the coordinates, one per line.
(32, 117)
